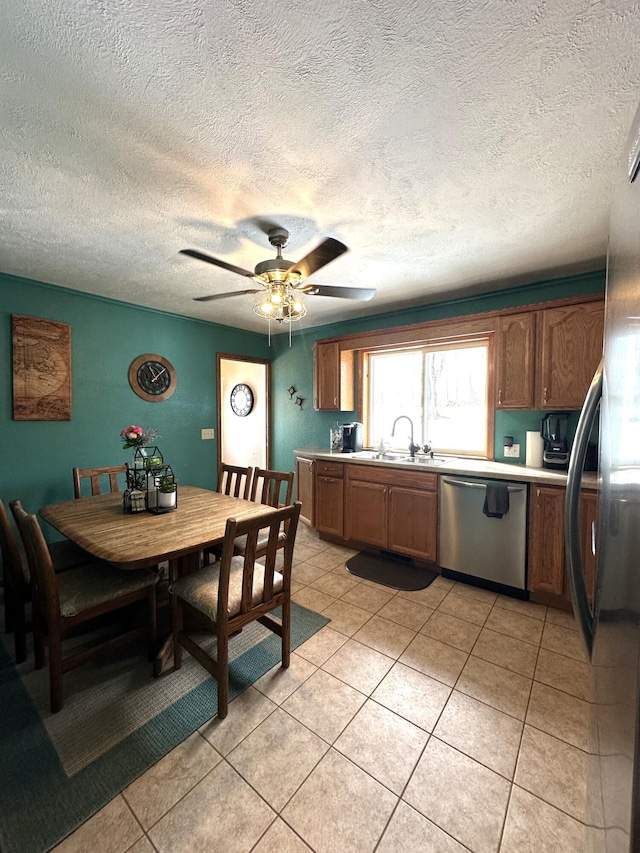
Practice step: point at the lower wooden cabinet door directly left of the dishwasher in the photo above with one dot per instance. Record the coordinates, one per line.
(413, 522)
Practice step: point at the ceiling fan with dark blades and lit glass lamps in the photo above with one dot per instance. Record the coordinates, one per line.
(281, 297)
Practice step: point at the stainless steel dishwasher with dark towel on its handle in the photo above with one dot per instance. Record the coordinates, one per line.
(473, 544)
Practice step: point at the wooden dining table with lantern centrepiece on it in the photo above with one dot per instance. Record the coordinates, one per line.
(138, 540)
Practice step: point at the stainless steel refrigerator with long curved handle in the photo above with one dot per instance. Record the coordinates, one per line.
(610, 624)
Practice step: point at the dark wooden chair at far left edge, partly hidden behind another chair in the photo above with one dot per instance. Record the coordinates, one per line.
(16, 576)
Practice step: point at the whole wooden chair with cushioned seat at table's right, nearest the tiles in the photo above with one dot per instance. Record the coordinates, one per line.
(237, 591)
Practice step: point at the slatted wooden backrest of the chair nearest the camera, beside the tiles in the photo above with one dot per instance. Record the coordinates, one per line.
(250, 608)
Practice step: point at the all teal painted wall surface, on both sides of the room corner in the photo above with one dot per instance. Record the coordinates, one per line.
(36, 457)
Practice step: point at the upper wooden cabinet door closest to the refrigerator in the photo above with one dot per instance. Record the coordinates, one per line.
(571, 348)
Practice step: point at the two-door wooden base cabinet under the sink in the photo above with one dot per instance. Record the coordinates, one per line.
(392, 509)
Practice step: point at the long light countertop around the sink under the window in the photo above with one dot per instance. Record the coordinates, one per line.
(454, 465)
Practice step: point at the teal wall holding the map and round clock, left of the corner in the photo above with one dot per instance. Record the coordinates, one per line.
(106, 336)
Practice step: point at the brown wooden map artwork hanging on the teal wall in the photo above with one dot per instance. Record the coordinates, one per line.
(41, 369)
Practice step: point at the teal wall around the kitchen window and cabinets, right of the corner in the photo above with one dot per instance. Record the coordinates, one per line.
(295, 427)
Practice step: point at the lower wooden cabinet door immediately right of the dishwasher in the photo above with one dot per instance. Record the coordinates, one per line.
(546, 540)
